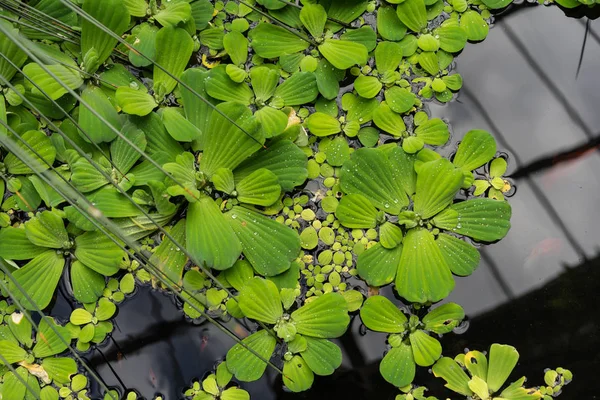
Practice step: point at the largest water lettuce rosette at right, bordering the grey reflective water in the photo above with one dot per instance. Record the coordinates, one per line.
(424, 233)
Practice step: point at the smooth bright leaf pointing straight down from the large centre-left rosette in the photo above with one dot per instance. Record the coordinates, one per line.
(209, 237)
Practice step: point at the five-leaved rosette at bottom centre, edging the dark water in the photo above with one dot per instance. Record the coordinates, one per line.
(304, 333)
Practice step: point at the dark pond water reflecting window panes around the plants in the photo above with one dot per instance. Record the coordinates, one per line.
(536, 289)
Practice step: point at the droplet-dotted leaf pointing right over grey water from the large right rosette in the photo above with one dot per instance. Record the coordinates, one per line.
(485, 220)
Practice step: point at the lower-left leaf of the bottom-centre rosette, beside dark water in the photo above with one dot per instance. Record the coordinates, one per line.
(245, 365)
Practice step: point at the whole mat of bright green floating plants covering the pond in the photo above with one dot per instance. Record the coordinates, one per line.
(266, 161)
